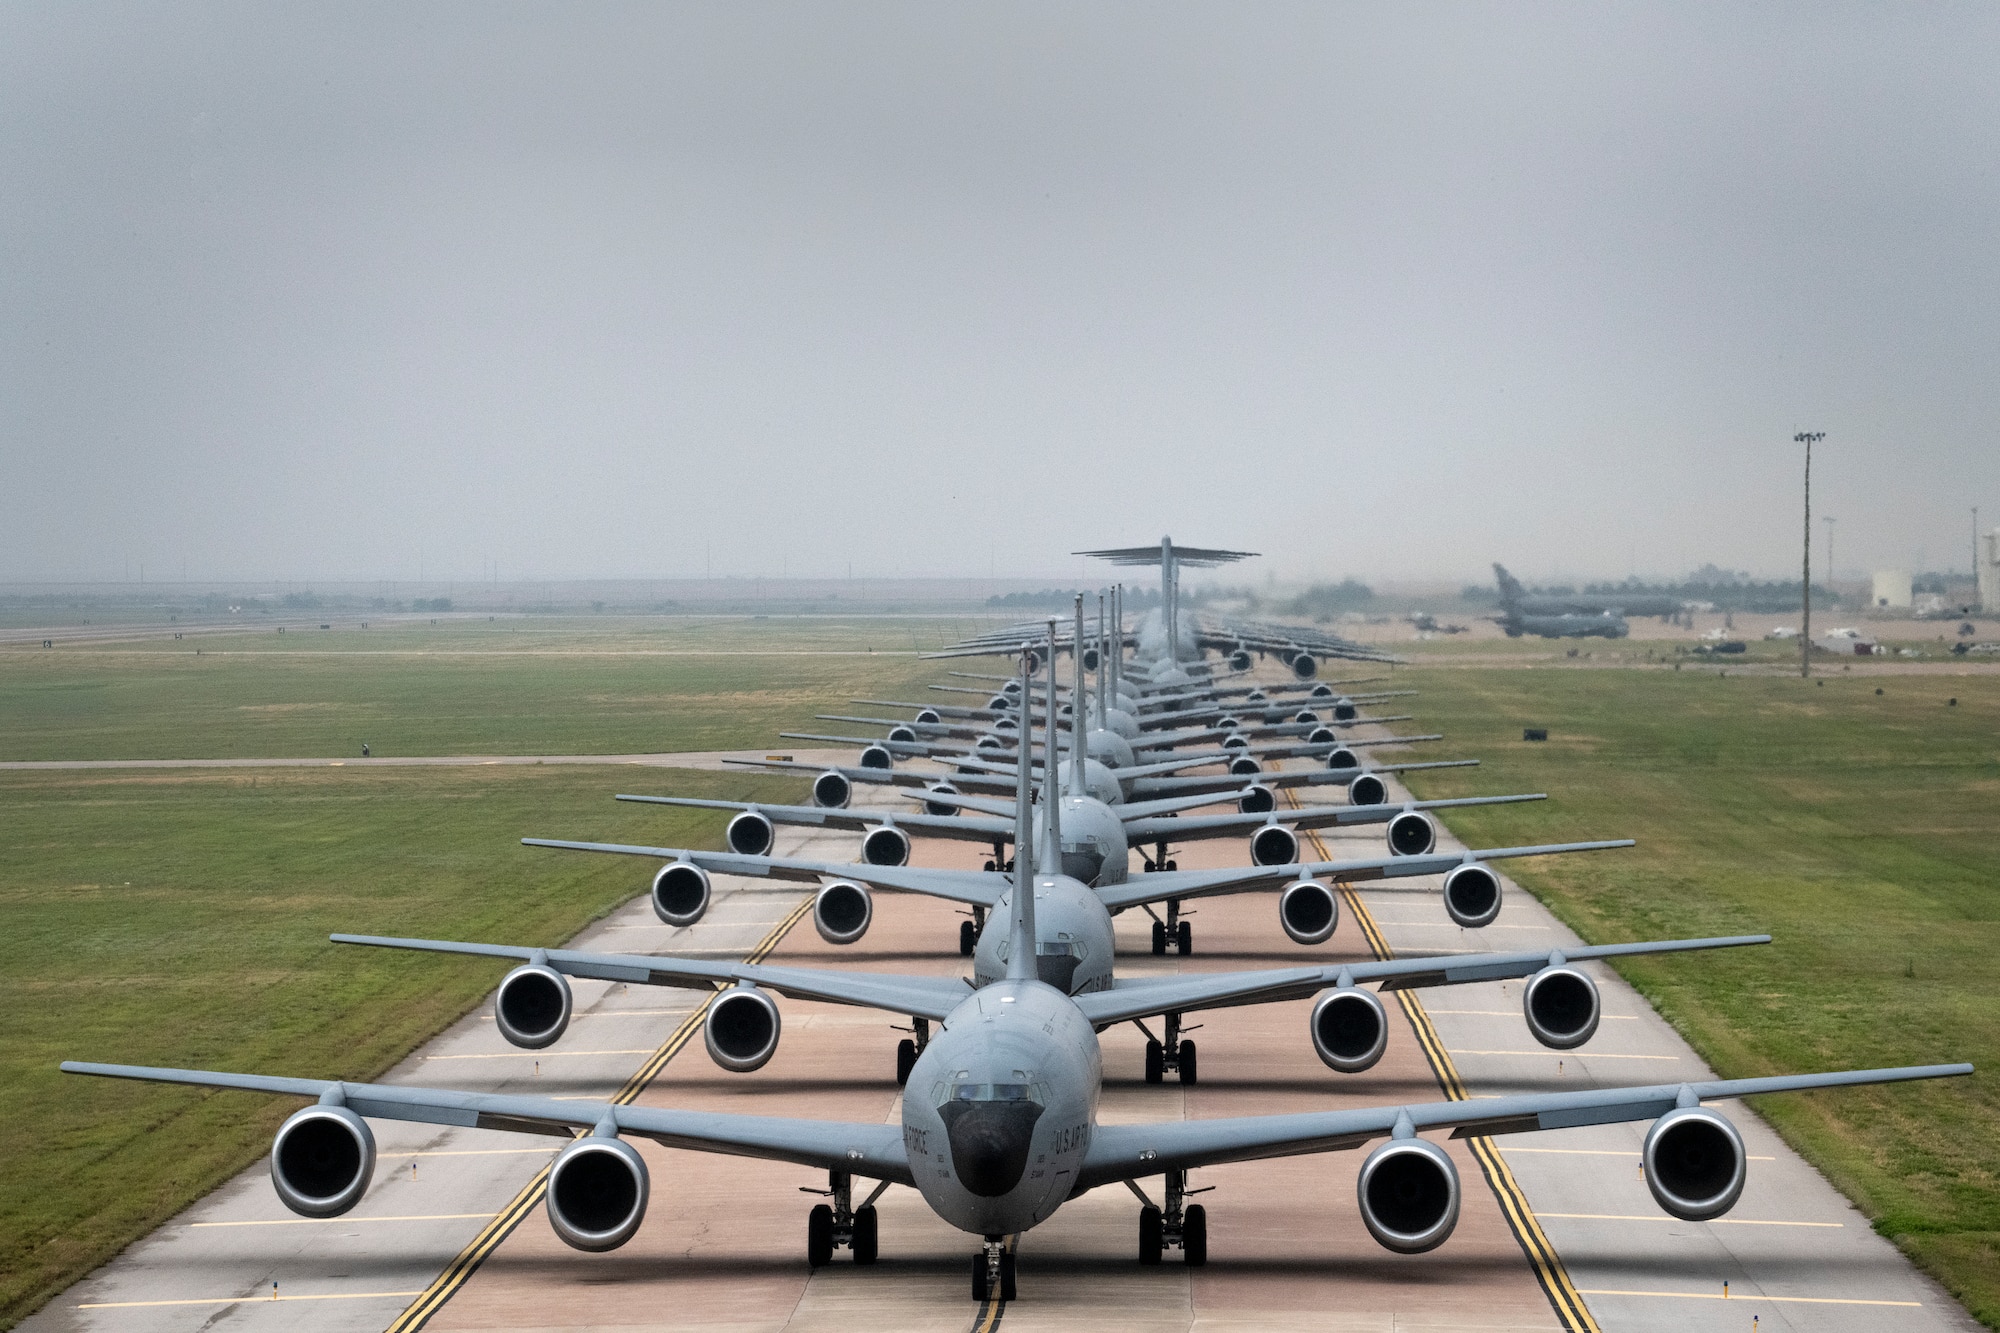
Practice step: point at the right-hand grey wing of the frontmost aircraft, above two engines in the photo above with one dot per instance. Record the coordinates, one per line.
(1133, 1152)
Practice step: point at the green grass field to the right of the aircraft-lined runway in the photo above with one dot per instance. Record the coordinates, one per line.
(1857, 828)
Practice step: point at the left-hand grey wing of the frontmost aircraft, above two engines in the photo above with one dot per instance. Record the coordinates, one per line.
(863, 1150)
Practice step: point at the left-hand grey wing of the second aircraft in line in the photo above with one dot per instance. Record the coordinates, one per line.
(921, 998)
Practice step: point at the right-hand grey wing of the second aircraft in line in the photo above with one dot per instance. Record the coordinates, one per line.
(1141, 998)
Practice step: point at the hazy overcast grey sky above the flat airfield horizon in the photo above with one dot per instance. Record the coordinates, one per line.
(623, 291)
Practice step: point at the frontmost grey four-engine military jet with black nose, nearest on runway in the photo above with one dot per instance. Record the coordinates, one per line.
(999, 1128)
